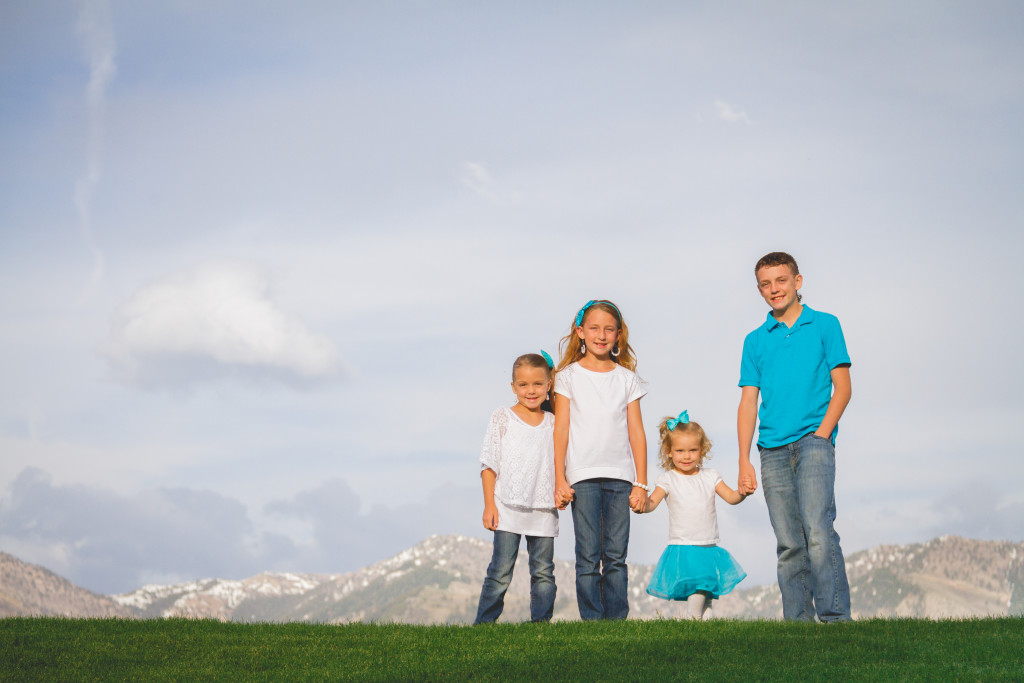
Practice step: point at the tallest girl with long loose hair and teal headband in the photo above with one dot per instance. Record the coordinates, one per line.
(601, 453)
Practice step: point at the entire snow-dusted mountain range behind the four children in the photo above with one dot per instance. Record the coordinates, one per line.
(439, 582)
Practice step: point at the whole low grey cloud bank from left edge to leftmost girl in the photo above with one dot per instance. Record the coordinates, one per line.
(110, 543)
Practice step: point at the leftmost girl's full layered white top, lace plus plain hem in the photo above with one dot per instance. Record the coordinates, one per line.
(524, 460)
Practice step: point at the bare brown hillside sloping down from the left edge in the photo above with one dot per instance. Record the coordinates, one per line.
(29, 590)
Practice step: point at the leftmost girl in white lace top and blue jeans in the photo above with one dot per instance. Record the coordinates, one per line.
(518, 469)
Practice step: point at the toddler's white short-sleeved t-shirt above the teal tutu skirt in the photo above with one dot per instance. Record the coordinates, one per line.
(692, 506)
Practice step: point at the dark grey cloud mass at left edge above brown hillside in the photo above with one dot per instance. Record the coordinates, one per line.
(112, 543)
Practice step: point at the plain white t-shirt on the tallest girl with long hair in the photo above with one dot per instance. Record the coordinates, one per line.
(600, 444)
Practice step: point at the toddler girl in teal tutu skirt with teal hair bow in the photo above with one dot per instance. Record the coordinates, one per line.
(693, 568)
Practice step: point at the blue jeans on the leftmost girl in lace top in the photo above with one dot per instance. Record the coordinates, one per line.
(542, 577)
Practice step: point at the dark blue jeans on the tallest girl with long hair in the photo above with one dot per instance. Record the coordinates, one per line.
(602, 519)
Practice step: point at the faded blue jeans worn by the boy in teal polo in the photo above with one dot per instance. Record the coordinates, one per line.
(799, 483)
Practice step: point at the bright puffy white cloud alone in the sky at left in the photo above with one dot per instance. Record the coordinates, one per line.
(212, 322)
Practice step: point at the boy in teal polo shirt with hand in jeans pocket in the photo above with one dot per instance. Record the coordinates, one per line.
(798, 363)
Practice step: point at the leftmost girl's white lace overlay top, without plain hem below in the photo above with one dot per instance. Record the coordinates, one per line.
(524, 459)
